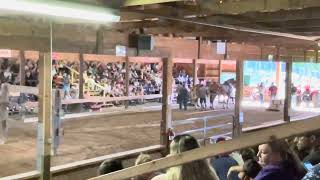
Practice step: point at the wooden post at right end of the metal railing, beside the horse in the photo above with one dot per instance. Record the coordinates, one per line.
(237, 126)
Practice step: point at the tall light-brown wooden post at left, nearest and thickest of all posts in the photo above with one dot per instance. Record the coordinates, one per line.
(45, 116)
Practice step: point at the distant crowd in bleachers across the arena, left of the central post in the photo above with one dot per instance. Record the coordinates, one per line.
(144, 78)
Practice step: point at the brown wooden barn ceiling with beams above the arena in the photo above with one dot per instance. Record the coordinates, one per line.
(287, 23)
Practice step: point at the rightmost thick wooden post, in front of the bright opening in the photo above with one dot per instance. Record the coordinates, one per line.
(287, 100)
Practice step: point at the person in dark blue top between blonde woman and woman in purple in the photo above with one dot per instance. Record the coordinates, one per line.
(222, 164)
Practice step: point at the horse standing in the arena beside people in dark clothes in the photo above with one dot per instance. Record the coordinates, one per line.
(225, 89)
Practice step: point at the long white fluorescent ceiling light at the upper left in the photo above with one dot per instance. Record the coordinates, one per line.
(61, 9)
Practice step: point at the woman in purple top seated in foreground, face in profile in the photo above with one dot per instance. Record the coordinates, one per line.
(277, 163)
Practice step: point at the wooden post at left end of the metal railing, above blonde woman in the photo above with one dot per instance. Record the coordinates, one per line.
(166, 101)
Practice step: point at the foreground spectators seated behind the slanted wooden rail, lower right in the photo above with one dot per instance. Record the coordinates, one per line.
(289, 159)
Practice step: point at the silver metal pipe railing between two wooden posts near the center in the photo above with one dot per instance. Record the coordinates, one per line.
(205, 120)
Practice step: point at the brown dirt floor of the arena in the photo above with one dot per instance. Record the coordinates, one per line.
(86, 138)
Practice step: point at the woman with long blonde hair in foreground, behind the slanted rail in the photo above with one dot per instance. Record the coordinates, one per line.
(199, 169)
